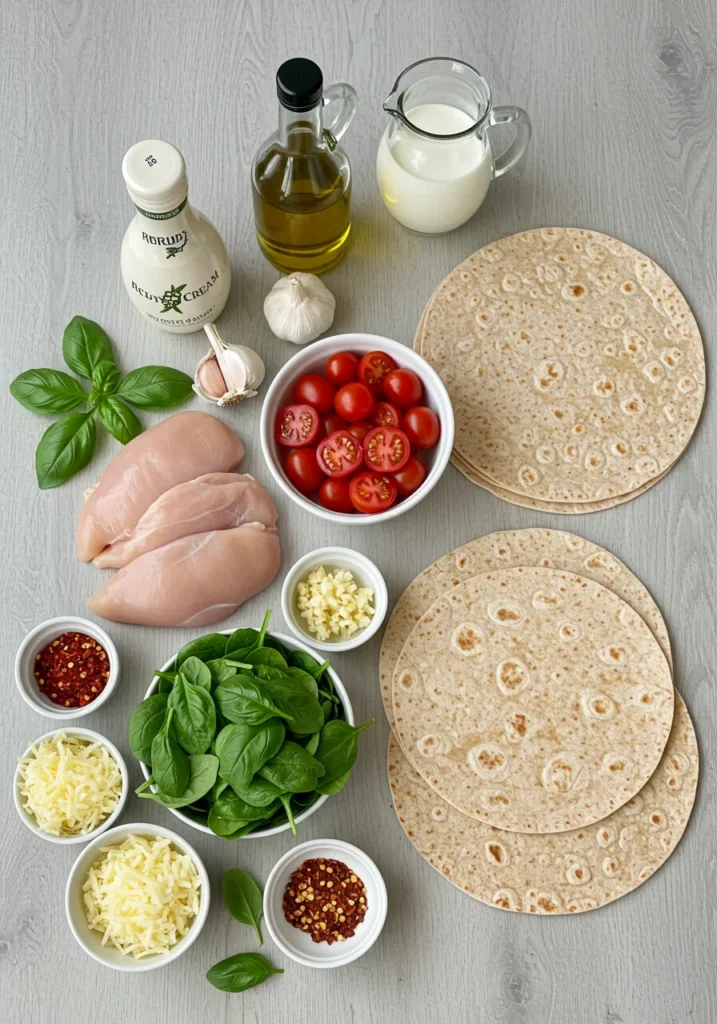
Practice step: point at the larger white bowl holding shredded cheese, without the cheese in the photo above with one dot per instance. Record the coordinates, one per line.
(92, 942)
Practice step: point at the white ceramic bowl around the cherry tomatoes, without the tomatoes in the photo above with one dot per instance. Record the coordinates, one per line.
(312, 360)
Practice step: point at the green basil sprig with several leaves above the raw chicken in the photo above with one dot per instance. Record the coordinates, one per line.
(68, 445)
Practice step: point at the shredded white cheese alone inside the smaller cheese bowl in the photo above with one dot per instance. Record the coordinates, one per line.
(69, 785)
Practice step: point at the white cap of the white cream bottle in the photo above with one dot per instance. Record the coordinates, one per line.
(156, 179)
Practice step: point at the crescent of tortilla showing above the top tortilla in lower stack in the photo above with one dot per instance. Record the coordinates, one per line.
(552, 548)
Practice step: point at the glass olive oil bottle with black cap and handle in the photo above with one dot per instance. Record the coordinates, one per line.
(302, 181)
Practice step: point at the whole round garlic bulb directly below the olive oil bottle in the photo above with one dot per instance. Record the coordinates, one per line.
(300, 309)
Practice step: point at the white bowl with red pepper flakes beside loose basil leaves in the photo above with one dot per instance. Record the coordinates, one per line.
(325, 904)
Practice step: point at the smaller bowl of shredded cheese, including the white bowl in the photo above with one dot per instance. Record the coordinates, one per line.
(70, 786)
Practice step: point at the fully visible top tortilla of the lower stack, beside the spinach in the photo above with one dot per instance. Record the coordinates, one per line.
(534, 700)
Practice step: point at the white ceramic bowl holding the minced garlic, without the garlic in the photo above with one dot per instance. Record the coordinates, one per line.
(365, 575)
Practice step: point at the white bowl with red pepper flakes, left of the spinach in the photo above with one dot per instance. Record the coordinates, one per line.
(67, 668)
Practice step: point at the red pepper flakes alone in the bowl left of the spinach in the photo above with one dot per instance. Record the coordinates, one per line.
(72, 670)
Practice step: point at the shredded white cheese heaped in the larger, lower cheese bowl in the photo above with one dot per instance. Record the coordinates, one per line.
(142, 895)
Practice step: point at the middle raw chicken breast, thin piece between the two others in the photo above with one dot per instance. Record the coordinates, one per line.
(216, 501)
